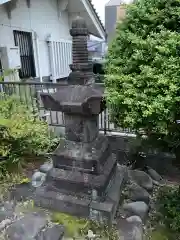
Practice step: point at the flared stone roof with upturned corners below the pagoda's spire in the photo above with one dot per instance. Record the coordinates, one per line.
(84, 100)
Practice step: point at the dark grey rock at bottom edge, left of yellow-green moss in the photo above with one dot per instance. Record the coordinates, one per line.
(55, 232)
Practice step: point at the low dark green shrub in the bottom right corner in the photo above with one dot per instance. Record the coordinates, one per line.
(169, 207)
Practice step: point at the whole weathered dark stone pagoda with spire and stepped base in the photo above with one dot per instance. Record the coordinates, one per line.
(84, 179)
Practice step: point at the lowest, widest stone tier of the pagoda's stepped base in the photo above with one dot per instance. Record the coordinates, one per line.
(83, 207)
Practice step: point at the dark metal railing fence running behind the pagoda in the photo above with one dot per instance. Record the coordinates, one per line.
(29, 94)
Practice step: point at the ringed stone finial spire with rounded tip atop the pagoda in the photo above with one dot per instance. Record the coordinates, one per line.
(82, 69)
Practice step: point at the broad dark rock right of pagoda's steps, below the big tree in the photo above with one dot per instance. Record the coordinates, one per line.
(141, 178)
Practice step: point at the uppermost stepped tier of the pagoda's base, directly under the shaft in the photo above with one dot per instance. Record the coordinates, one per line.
(88, 157)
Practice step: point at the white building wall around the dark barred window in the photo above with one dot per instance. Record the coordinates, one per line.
(43, 19)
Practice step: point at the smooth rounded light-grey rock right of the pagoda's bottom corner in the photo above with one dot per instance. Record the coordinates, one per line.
(136, 208)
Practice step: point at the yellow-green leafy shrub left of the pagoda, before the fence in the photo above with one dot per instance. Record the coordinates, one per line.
(22, 134)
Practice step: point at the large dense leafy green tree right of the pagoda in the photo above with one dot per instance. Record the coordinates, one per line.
(143, 71)
